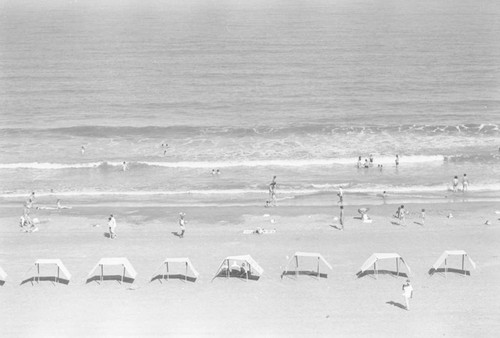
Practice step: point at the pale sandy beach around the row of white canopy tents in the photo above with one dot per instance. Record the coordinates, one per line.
(340, 305)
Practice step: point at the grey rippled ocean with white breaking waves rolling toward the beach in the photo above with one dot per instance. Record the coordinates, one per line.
(296, 89)
